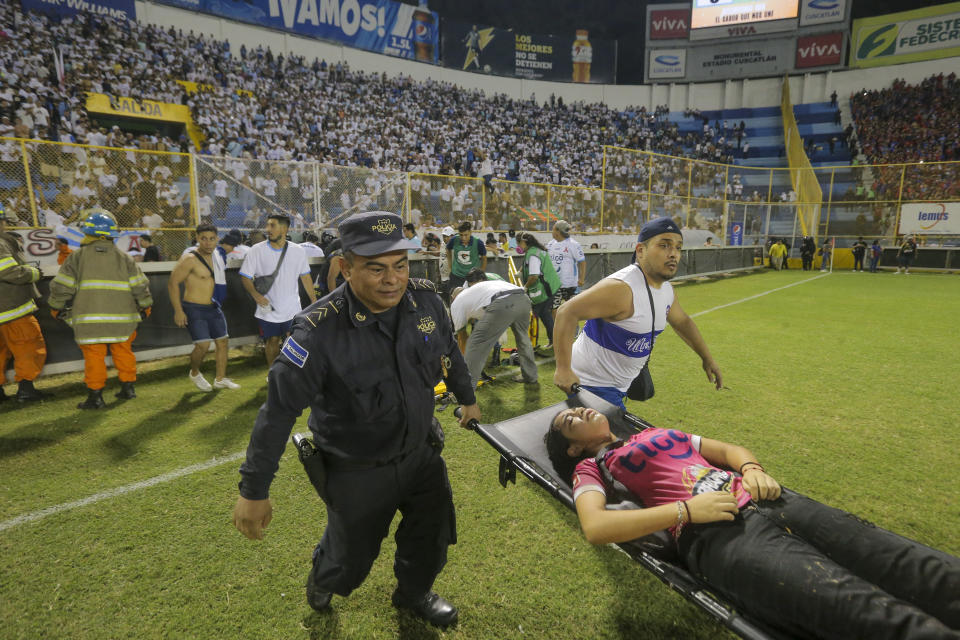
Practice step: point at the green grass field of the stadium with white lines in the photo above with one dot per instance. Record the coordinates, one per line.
(844, 386)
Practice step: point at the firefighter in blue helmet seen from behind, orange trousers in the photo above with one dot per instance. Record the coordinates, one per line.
(101, 292)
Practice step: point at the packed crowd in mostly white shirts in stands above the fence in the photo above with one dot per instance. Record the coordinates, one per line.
(253, 103)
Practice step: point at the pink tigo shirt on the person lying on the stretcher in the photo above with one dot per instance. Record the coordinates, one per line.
(659, 466)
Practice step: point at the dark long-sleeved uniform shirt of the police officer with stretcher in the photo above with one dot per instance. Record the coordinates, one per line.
(369, 388)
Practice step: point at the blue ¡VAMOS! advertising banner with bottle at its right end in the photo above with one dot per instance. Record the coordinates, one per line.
(383, 26)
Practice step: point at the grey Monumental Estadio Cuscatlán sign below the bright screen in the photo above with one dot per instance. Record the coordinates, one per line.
(756, 58)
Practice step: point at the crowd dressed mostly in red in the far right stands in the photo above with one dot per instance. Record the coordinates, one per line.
(908, 123)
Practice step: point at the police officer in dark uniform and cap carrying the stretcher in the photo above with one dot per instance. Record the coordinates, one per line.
(366, 359)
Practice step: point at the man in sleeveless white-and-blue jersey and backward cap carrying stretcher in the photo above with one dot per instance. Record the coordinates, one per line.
(617, 339)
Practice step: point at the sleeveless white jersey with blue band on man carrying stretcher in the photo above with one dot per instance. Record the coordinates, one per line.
(611, 354)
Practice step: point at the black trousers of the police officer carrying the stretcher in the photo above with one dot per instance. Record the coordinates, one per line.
(361, 504)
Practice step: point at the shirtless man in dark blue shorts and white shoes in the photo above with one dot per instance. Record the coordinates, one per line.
(199, 312)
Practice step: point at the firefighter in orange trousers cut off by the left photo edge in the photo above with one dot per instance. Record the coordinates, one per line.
(20, 334)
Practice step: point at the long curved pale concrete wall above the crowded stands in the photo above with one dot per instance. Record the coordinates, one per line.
(730, 94)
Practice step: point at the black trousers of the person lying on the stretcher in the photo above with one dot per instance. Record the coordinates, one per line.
(816, 571)
